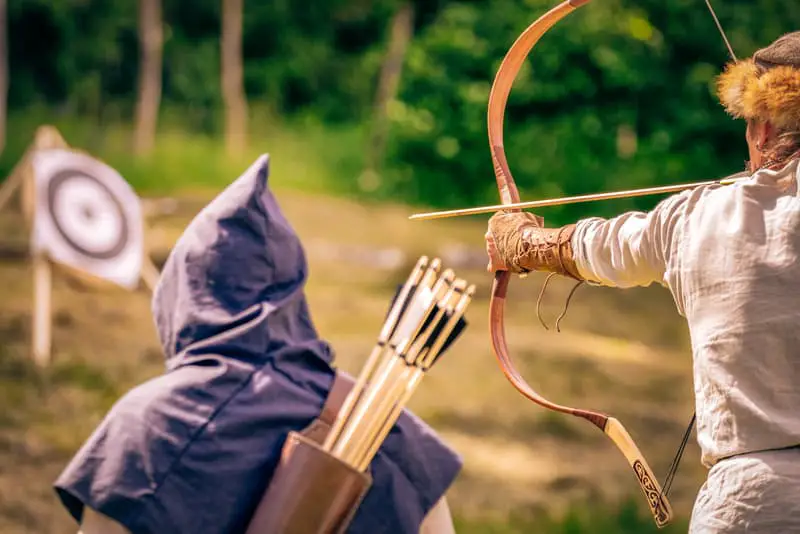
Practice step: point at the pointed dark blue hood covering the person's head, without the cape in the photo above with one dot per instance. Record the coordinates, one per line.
(233, 284)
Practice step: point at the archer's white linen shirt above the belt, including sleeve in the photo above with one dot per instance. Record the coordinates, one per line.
(729, 256)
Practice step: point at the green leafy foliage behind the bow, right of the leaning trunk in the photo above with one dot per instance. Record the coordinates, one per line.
(618, 95)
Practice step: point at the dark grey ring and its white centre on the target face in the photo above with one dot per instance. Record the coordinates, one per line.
(87, 215)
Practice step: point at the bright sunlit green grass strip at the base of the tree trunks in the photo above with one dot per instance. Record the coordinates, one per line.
(304, 155)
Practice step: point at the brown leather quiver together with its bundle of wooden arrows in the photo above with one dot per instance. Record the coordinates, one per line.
(319, 484)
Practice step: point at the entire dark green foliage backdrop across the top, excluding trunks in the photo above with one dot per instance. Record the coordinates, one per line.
(618, 95)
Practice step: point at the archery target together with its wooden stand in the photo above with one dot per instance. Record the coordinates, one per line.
(82, 216)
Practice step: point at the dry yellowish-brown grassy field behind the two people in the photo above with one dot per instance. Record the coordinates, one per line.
(526, 469)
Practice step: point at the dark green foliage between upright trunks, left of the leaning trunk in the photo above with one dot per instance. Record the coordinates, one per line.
(317, 57)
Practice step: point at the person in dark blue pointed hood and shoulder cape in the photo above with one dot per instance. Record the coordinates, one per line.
(193, 450)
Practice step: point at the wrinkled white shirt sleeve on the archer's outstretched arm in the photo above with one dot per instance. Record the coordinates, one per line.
(632, 249)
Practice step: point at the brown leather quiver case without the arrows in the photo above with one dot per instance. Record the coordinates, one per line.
(311, 492)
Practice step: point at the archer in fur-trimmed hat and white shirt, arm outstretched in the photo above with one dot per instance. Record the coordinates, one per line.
(730, 256)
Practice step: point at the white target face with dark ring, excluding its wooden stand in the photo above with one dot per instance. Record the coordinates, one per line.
(87, 216)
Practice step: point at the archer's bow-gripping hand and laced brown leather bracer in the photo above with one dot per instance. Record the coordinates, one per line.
(518, 242)
